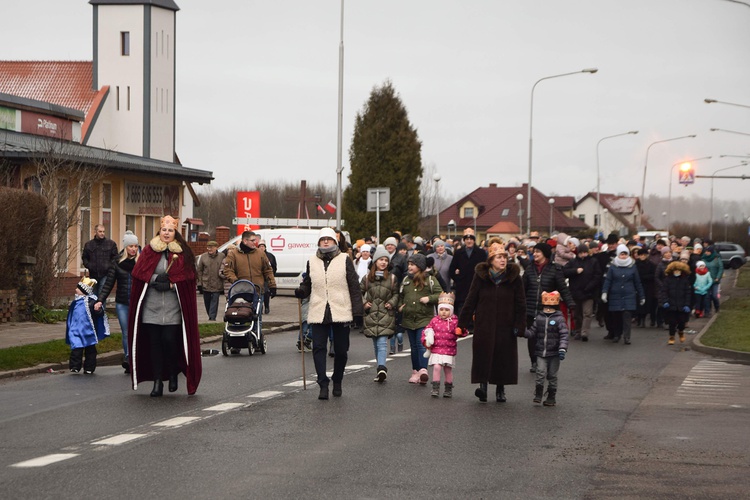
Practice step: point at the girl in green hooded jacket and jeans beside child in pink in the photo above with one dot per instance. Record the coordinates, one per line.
(419, 294)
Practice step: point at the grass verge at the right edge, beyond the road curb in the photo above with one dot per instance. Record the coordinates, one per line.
(730, 329)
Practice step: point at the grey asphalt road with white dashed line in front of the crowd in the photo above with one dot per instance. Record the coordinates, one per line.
(638, 421)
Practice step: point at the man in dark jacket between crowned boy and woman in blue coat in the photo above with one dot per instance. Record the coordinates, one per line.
(585, 276)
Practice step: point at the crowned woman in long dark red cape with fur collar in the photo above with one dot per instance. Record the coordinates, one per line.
(163, 321)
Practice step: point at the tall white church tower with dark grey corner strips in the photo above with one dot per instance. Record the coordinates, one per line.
(134, 55)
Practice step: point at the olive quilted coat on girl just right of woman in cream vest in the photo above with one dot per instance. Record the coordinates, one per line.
(380, 321)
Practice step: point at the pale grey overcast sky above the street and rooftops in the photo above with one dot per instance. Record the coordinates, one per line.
(257, 85)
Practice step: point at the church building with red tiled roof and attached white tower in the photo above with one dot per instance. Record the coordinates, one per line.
(114, 114)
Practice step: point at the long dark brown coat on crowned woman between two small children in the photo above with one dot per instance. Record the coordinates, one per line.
(499, 314)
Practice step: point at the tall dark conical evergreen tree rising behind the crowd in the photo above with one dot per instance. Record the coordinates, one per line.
(385, 152)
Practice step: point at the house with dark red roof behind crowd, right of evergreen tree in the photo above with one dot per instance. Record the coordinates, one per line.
(486, 207)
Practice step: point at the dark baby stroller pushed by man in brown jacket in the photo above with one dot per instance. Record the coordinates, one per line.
(242, 328)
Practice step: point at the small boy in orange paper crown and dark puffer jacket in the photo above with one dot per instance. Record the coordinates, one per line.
(549, 332)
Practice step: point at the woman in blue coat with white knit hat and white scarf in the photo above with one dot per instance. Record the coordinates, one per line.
(623, 292)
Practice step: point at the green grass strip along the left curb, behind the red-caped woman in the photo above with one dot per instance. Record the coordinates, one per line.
(57, 351)
